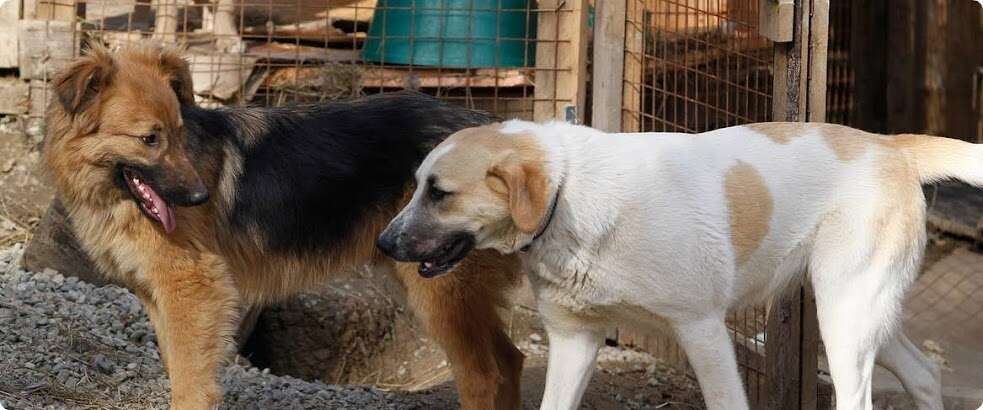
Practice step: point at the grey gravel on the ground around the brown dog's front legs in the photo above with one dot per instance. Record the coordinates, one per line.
(69, 344)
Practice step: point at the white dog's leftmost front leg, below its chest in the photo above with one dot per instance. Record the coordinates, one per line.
(571, 362)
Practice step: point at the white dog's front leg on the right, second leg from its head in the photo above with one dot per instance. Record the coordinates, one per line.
(710, 352)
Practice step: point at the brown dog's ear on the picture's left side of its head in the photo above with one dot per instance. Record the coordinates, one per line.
(78, 85)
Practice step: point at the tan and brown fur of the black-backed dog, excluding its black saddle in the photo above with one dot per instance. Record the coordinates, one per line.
(195, 281)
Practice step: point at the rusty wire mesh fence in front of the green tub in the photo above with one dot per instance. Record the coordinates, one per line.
(511, 57)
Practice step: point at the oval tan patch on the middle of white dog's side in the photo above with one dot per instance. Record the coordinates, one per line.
(750, 205)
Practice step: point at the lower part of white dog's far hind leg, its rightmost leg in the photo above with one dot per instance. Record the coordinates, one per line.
(920, 376)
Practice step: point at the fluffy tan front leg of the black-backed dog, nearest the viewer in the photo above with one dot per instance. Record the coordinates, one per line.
(197, 308)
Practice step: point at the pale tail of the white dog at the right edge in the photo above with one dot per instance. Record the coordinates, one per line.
(940, 158)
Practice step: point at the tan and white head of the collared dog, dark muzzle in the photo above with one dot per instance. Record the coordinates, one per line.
(480, 188)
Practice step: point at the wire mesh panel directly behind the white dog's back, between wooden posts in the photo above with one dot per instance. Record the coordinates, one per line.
(694, 66)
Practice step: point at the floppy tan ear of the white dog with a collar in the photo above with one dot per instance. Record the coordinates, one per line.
(527, 187)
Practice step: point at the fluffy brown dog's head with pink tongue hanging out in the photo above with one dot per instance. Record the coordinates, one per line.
(114, 132)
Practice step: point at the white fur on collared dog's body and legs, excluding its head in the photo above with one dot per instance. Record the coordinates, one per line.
(641, 235)
